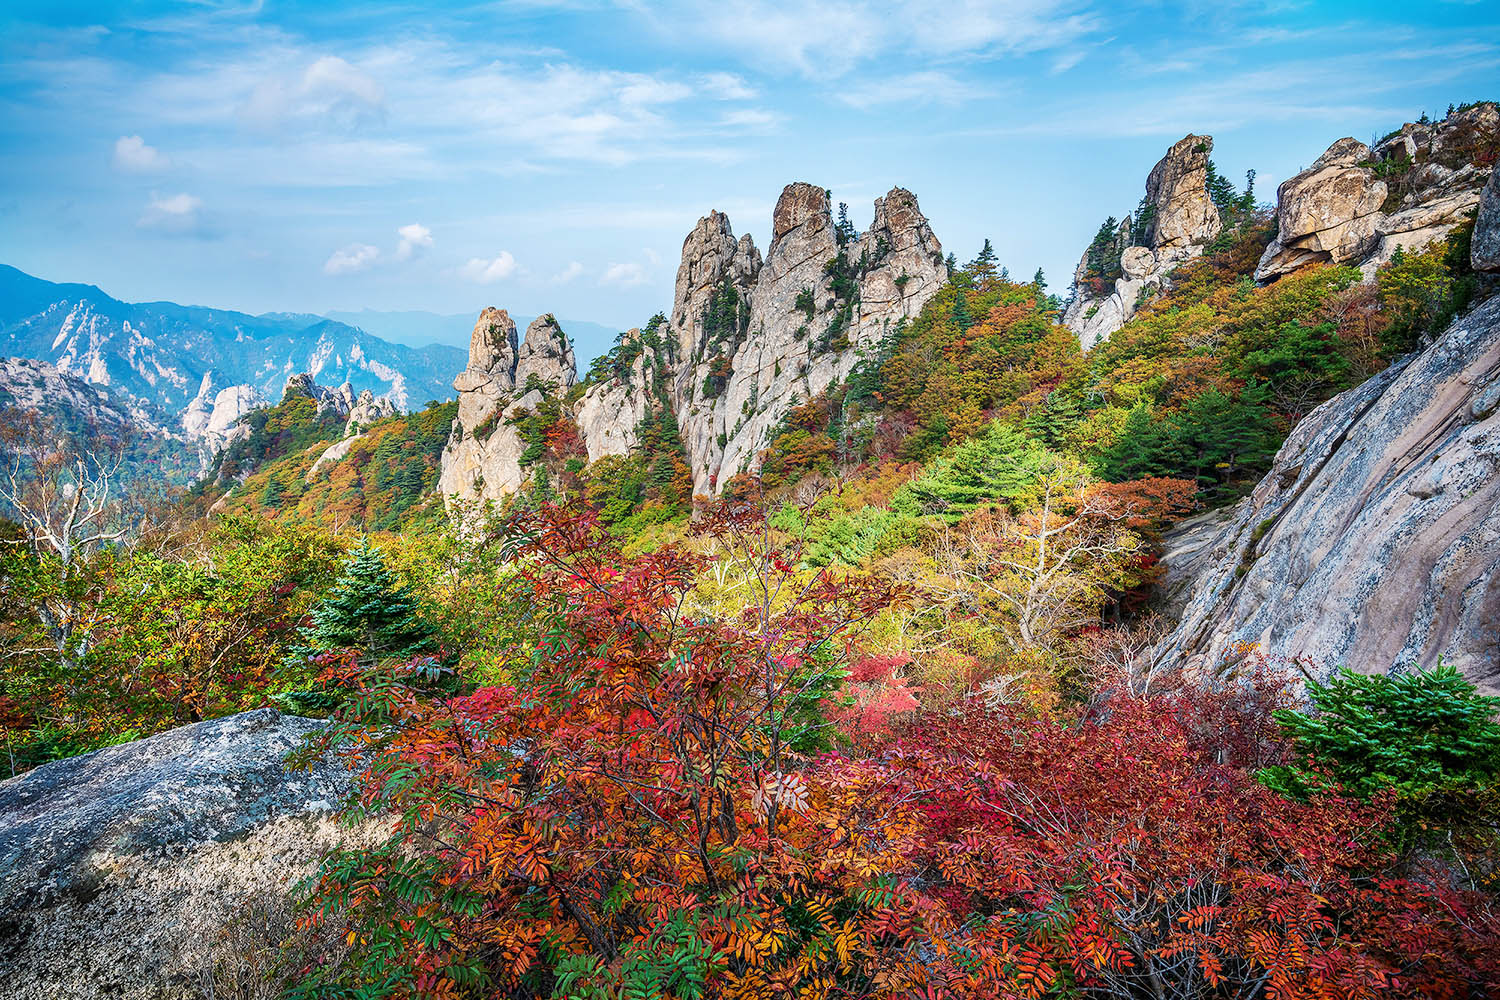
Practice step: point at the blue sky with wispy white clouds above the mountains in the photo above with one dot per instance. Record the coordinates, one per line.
(551, 157)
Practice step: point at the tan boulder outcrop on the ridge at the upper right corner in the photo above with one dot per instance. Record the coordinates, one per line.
(1358, 205)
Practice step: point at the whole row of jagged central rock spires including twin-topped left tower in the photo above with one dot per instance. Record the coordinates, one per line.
(748, 340)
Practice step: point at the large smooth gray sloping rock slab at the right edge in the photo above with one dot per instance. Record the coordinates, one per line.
(1375, 540)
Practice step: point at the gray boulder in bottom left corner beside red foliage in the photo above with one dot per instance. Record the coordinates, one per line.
(121, 869)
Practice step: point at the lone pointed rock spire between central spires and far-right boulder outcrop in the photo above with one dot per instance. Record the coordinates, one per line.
(1175, 221)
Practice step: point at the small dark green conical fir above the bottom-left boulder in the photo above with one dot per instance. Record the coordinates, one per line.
(367, 609)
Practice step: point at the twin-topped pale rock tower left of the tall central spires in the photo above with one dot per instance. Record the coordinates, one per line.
(503, 380)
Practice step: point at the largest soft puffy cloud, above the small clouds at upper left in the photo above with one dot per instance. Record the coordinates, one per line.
(329, 92)
